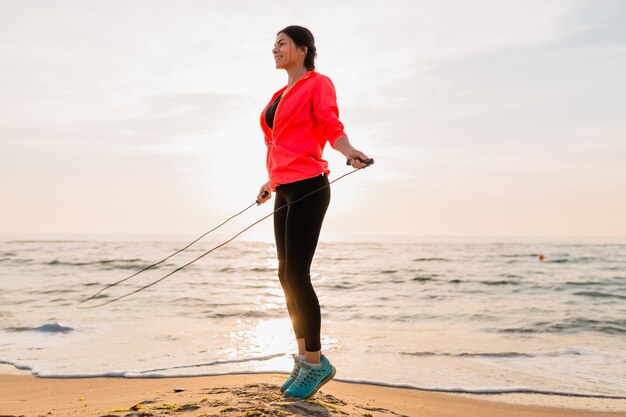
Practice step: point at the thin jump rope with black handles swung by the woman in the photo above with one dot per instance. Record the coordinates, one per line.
(367, 163)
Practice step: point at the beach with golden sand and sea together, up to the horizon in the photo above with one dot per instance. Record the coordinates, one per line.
(420, 328)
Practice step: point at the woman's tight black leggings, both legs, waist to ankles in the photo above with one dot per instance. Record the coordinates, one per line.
(297, 229)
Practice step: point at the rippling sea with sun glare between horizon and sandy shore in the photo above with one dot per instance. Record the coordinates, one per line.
(462, 314)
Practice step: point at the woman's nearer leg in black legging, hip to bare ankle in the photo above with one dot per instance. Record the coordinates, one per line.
(302, 229)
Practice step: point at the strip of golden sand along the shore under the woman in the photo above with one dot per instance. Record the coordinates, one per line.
(258, 395)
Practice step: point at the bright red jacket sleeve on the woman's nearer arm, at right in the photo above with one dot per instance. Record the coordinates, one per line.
(326, 110)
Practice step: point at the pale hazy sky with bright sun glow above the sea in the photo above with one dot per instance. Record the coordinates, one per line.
(485, 118)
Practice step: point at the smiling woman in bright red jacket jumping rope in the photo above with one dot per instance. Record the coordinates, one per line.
(297, 122)
